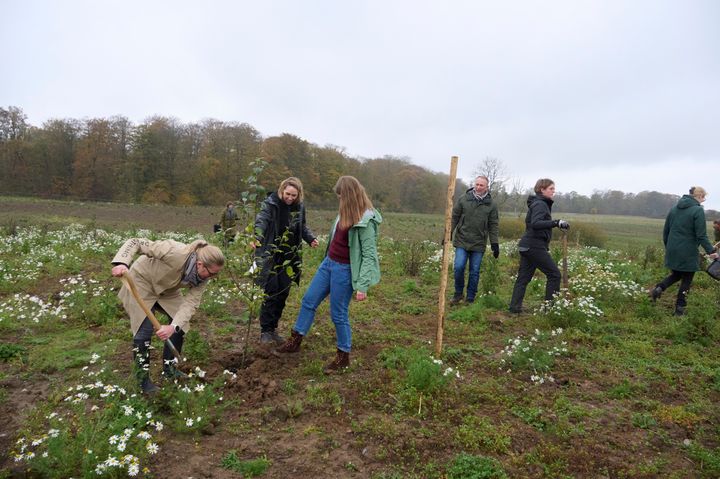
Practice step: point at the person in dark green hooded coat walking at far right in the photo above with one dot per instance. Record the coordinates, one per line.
(685, 229)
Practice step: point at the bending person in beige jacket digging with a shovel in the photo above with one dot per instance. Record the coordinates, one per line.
(163, 268)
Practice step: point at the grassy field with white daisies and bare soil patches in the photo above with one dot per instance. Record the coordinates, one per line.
(604, 384)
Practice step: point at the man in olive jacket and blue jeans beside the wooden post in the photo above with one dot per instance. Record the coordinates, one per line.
(474, 221)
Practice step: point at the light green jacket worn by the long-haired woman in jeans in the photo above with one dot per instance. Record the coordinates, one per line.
(364, 260)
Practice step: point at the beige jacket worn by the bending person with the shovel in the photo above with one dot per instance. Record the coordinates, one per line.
(157, 274)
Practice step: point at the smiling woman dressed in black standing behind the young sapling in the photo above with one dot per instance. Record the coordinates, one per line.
(279, 230)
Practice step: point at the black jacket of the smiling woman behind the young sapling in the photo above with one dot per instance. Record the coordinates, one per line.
(274, 251)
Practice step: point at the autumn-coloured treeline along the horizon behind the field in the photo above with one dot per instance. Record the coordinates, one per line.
(164, 161)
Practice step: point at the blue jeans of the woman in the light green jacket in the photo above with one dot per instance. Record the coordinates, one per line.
(334, 279)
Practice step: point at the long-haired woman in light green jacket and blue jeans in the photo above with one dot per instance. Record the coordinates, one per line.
(351, 264)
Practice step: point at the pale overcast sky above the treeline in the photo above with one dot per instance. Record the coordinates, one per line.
(611, 94)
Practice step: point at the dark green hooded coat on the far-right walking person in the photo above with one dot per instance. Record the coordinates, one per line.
(685, 229)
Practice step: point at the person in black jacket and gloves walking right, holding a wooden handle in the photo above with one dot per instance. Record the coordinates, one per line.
(535, 244)
